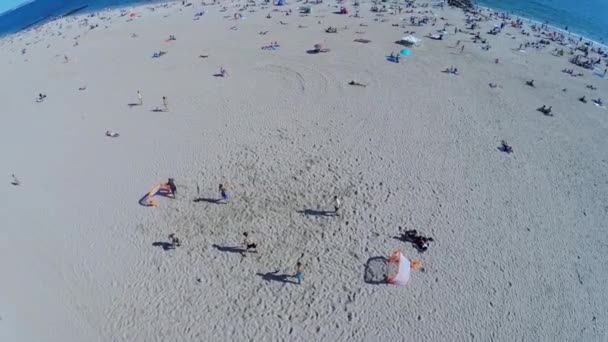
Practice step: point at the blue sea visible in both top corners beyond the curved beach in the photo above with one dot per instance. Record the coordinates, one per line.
(588, 18)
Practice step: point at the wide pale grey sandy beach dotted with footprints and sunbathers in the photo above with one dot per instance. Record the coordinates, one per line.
(520, 238)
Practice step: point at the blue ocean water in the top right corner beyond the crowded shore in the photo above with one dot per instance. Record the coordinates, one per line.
(588, 18)
